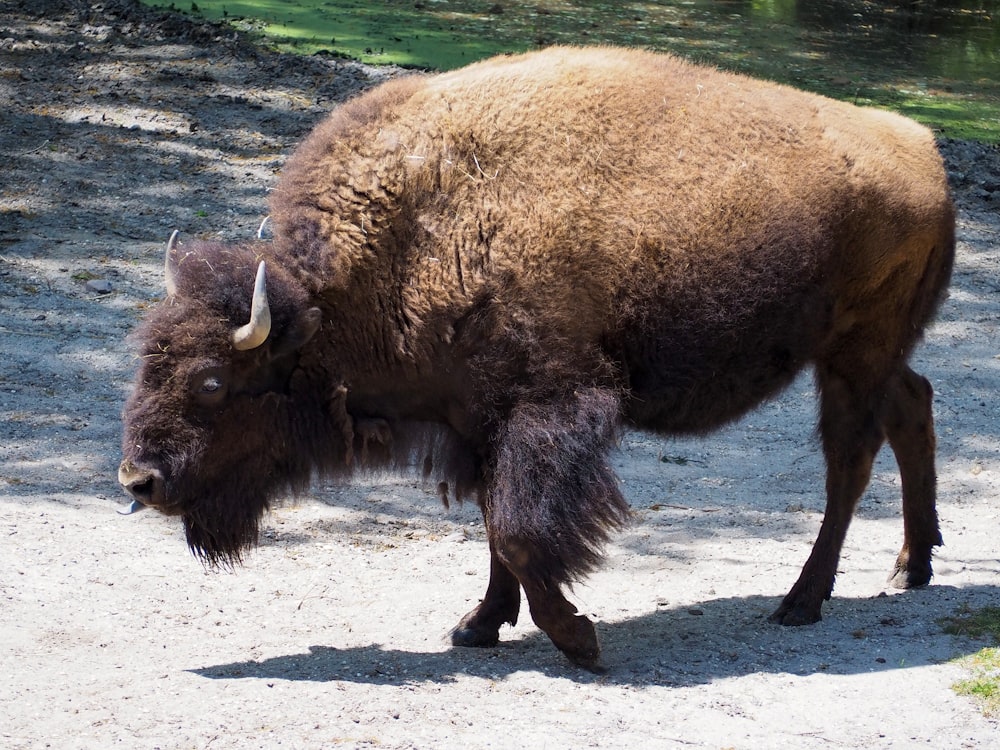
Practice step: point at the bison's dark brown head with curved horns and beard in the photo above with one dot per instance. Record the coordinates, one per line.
(227, 411)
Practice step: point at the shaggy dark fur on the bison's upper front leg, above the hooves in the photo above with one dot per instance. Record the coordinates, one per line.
(553, 494)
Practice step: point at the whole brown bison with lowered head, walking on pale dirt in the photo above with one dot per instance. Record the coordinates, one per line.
(487, 274)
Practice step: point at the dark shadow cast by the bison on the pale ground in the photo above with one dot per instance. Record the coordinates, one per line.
(674, 647)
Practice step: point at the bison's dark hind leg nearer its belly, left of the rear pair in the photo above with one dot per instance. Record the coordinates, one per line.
(852, 433)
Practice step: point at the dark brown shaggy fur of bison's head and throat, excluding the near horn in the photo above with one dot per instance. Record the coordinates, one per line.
(271, 419)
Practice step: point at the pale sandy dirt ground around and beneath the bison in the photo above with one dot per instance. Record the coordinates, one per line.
(120, 124)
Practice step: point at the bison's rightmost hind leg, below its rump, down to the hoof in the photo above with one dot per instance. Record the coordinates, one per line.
(909, 426)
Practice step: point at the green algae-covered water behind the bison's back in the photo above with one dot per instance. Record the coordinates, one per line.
(938, 61)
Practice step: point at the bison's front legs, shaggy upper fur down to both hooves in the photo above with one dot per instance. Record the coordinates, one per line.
(551, 503)
